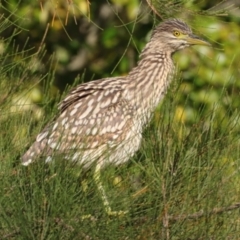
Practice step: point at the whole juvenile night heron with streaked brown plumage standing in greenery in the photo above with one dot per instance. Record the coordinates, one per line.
(101, 122)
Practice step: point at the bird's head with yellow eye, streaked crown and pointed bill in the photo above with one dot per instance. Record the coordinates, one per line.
(174, 35)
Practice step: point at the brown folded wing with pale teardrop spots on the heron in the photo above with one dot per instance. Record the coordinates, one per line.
(92, 115)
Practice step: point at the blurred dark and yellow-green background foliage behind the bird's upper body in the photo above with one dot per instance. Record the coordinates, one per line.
(96, 39)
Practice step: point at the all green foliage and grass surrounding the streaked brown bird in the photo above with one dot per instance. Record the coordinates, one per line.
(183, 182)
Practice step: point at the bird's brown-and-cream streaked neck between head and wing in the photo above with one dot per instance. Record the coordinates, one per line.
(149, 80)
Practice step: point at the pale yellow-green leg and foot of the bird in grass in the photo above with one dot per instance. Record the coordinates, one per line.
(103, 194)
